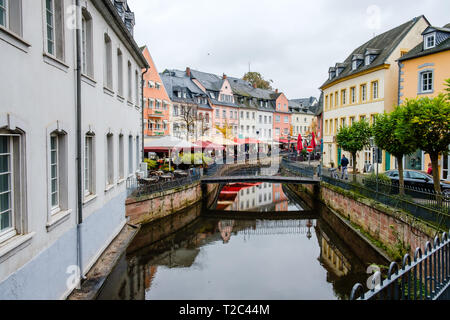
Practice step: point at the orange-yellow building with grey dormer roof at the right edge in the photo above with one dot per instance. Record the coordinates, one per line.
(423, 73)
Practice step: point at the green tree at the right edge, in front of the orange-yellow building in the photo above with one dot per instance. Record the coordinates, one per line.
(429, 119)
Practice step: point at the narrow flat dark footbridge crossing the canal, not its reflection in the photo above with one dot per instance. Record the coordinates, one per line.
(273, 179)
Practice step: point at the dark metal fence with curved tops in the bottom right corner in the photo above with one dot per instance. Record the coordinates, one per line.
(426, 277)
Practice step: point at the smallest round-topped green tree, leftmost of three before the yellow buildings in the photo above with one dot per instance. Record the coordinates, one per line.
(354, 139)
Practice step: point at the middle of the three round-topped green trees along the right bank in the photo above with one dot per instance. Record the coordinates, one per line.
(392, 135)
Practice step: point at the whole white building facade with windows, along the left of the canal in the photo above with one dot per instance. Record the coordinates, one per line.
(41, 236)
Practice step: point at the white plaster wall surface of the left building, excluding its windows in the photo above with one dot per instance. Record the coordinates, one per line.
(39, 95)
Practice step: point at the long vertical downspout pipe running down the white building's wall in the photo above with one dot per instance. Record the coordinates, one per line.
(79, 140)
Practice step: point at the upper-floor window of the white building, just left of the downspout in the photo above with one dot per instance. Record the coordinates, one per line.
(54, 28)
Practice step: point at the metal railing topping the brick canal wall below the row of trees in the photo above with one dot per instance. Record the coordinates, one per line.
(420, 203)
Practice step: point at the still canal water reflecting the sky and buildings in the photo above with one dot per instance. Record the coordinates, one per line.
(290, 251)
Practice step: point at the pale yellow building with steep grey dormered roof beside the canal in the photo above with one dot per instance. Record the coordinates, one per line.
(366, 84)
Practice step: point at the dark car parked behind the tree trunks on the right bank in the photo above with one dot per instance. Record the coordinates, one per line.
(418, 180)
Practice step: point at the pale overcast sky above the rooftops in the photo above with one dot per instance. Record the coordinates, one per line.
(291, 42)
